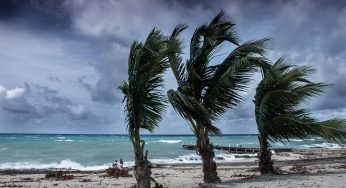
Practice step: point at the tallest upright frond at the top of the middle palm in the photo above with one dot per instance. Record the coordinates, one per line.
(205, 43)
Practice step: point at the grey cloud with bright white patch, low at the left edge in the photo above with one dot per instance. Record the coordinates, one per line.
(35, 101)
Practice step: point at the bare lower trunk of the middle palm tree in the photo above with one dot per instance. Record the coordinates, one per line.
(205, 150)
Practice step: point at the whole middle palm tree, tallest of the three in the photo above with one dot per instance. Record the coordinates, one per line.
(206, 91)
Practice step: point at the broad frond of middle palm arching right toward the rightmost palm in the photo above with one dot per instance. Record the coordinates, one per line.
(233, 75)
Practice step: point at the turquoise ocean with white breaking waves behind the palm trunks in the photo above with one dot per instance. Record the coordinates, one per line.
(96, 152)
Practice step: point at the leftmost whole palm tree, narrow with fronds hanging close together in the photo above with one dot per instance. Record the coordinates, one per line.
(144, 102)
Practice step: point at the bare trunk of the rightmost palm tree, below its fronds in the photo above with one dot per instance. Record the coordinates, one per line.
(265, 161)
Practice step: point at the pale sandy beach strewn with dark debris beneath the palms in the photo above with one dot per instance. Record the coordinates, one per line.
(309, 168)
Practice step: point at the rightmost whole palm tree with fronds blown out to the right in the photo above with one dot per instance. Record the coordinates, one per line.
(280, 115)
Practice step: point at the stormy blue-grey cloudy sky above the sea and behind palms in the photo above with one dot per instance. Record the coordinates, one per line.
(61, 61)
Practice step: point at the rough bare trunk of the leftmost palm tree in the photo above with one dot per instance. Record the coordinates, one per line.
(142, 165)
